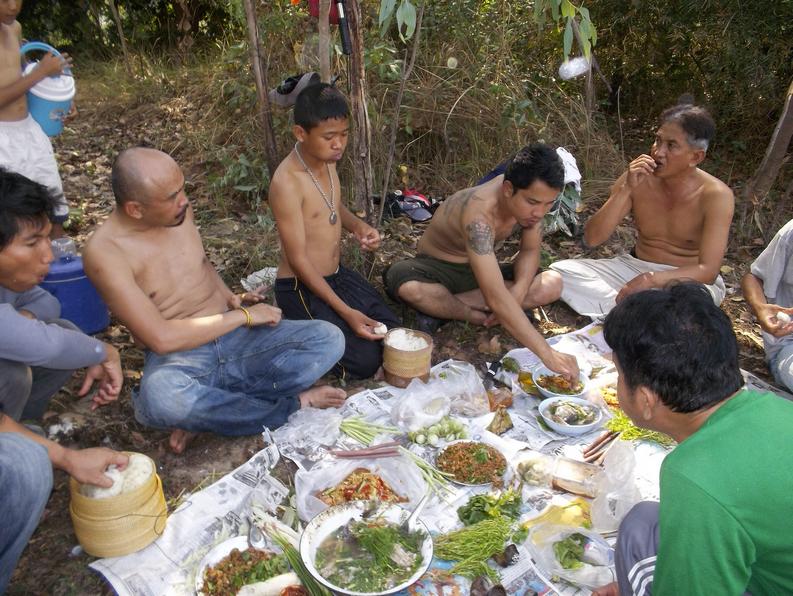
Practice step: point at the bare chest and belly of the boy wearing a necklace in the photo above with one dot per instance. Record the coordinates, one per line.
(322, 244)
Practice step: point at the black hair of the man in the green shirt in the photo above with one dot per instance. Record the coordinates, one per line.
(676, 342)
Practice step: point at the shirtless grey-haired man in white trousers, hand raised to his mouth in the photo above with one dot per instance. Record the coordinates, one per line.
(682, 215)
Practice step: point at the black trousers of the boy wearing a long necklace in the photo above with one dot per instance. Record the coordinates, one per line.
(362, 357)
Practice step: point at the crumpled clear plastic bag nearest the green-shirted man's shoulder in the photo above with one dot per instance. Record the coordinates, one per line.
(616, 491)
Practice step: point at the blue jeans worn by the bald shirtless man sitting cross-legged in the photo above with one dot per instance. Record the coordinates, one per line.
(240, 382)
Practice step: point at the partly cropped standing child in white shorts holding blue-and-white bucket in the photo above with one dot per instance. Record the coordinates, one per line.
(24, 148)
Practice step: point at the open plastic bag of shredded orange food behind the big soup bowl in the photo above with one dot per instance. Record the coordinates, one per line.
(357, 478)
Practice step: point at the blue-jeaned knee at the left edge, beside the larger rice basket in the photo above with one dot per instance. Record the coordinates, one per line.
(25, 485)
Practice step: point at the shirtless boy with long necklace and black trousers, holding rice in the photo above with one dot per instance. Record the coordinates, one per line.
(306, 201)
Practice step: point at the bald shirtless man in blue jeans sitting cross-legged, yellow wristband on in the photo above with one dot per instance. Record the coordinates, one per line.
(212, 364)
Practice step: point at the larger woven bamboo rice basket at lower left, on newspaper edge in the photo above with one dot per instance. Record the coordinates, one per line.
(120, 525)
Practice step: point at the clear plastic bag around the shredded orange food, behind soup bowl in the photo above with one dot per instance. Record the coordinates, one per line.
(400, 473)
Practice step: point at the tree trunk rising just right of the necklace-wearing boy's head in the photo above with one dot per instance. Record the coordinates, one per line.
(361, 140)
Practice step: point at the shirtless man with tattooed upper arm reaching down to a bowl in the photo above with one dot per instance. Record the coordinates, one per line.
(456, 274)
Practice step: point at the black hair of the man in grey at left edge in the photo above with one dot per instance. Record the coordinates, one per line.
(22, 201)
